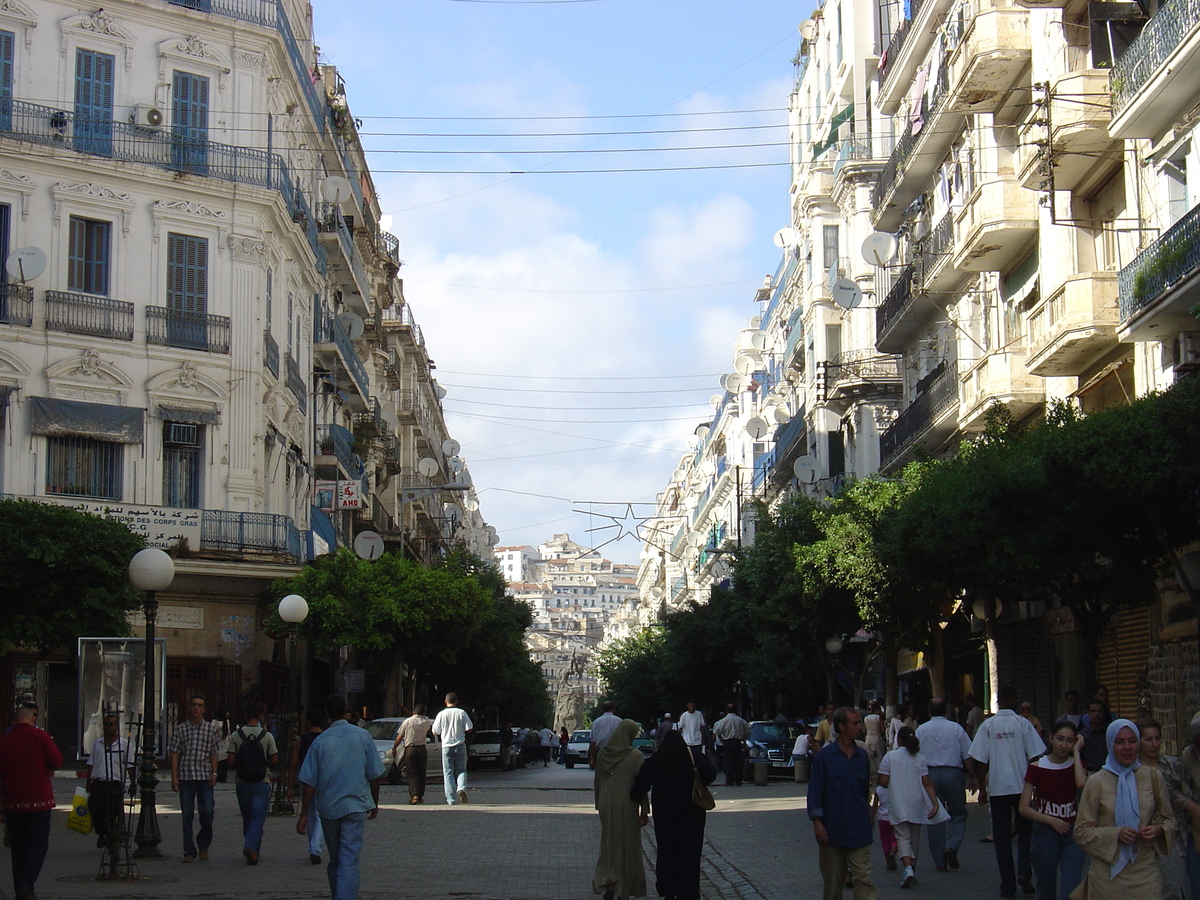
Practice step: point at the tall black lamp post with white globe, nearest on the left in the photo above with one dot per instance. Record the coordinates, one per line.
(151, 571)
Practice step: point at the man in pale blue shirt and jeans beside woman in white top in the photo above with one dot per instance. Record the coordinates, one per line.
(946, 747)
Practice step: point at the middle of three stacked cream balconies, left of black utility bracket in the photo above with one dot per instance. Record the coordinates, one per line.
(997, 225)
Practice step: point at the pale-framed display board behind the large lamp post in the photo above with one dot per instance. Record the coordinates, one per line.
(112, 680)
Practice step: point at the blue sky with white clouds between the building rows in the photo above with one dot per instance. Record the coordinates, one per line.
(579, 322)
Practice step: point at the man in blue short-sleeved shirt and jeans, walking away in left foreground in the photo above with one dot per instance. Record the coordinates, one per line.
(343, 772)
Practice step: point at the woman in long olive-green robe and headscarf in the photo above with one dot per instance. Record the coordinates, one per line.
(620, 872)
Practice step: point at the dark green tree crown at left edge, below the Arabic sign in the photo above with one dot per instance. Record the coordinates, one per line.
(67, 575)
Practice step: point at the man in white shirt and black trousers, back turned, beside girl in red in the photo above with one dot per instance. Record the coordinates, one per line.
(1001, 752)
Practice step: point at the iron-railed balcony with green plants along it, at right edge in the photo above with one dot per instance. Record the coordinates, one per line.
(1162, 284)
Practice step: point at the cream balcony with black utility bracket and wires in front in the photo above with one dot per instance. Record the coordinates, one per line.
(1081, 148)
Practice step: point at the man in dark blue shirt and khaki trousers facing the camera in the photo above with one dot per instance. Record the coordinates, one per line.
(839, 788)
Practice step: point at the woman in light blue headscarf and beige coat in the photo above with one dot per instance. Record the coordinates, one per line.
(1125, 823)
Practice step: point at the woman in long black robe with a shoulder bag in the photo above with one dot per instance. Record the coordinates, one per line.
(679, 823)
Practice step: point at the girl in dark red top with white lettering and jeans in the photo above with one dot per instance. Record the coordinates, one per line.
(1052, 789)
